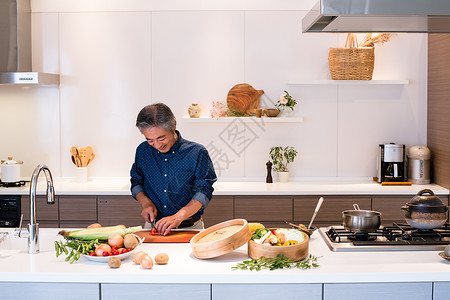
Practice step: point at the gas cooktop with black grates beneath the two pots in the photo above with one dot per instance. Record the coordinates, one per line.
(398, 237)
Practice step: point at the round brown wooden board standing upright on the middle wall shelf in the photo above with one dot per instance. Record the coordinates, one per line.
(243, 97)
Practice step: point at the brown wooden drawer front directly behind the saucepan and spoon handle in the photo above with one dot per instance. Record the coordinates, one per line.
(331, 210)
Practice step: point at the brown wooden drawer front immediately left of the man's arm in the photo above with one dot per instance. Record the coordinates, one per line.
(115, 210)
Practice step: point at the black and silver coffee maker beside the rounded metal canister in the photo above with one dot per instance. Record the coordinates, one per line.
(391, 163)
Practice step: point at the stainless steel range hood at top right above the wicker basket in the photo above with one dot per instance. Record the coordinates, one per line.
(426, 16)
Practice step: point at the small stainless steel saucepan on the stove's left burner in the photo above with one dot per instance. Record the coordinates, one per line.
(361, 221)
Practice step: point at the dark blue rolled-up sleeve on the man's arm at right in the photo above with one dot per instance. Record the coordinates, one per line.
(205, 176)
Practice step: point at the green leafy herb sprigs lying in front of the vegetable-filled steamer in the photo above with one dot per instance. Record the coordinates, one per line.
(279, 262)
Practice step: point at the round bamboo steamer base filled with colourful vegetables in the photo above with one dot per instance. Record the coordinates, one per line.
(271, 242)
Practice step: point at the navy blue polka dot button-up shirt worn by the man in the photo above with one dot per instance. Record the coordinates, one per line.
(172, 179)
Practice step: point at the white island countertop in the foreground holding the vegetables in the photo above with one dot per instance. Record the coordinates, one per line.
(183, 267)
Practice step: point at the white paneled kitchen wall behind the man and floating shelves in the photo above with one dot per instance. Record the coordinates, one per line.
(113, 62)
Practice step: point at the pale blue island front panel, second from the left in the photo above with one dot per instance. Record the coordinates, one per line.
(162, 291)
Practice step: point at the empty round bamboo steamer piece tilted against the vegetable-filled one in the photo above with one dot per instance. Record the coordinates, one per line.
(221, 245)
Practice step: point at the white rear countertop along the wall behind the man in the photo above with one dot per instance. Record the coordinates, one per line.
(121, 186)
